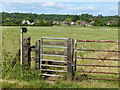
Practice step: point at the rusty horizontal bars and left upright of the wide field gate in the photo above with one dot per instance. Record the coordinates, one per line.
(94, 58)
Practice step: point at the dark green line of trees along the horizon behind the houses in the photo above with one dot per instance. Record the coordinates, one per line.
(16, 19)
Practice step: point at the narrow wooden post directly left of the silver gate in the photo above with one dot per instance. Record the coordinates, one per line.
(37, 55)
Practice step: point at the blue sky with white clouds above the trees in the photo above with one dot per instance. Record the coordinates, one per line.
(78, 7)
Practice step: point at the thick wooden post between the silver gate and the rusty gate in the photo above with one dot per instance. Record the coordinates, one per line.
(70, 53)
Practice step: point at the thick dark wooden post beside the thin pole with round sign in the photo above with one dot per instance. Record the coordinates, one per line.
(26, 51)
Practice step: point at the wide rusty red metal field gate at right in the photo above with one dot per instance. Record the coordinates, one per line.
(97, 59)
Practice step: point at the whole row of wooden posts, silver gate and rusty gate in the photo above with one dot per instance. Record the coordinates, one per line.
(70, 47)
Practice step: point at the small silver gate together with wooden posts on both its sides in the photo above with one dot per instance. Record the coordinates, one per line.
(52, 56)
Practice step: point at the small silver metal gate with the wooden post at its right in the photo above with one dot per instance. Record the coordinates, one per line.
(56, 56)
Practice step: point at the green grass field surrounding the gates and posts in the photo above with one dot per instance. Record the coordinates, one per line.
(10, 46)
